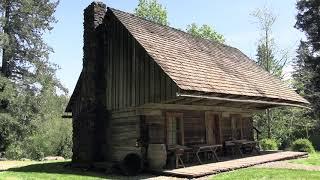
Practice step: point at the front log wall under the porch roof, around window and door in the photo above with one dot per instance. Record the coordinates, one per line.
(233, 126)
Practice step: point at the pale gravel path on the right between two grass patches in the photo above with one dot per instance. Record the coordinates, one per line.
(288, 165)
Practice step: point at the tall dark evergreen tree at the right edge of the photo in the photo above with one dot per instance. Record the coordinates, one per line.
(308, 65)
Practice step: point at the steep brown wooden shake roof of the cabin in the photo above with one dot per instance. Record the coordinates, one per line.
(200, 65)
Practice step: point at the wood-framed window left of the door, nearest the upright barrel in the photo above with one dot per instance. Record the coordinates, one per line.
(175, 130)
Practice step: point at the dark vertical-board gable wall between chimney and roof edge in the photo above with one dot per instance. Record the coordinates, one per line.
(132, 76)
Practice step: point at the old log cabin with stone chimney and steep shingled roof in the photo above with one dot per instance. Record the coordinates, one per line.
(145, 84)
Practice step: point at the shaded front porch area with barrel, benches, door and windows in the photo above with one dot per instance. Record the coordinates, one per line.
(175, 138)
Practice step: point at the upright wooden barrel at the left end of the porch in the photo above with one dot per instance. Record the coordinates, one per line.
(157, 156)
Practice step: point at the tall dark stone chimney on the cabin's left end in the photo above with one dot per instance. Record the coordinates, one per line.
(88, 131)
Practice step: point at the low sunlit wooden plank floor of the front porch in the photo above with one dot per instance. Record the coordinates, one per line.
(218, 167)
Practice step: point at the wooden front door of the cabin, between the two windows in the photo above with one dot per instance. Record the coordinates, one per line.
(212, 128)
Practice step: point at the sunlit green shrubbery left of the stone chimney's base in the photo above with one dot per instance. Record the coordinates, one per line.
(53, 138)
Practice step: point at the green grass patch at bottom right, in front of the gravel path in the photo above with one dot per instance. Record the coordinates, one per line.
(265, 173)
